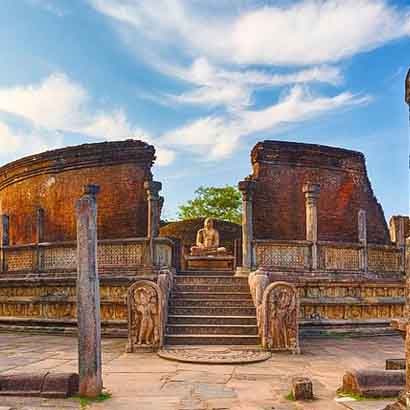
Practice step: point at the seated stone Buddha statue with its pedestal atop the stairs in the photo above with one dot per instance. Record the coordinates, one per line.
(206, 254)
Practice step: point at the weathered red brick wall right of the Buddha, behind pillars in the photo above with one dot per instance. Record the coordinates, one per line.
(282, 168)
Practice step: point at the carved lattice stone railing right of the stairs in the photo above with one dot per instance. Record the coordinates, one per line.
(331, 257)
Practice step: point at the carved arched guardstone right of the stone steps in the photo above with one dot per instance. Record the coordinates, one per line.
(280, 309)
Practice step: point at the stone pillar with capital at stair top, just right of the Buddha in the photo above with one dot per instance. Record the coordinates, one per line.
(247, 188)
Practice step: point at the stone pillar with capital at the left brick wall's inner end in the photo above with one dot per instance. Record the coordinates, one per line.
(154, 214)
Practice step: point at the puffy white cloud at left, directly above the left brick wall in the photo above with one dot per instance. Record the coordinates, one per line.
(59, 105)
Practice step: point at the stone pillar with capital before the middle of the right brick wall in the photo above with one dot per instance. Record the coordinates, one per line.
(312, 192)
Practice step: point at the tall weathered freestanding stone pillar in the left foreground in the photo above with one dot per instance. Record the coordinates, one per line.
(88, 295)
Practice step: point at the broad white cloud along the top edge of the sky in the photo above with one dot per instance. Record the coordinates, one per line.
(305, 32)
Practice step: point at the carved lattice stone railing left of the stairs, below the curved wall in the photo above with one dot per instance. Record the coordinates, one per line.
(62, 256)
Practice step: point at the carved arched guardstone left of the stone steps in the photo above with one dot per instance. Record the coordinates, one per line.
(145, 321)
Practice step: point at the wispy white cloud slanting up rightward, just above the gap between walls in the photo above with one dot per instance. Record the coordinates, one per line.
(219, 136)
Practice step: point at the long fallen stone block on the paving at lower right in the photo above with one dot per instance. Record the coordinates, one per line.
(374, 383)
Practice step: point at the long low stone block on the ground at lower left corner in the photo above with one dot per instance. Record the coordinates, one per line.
(43, 384)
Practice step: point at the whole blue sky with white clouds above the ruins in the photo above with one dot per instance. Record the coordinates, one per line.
(205, 80)
